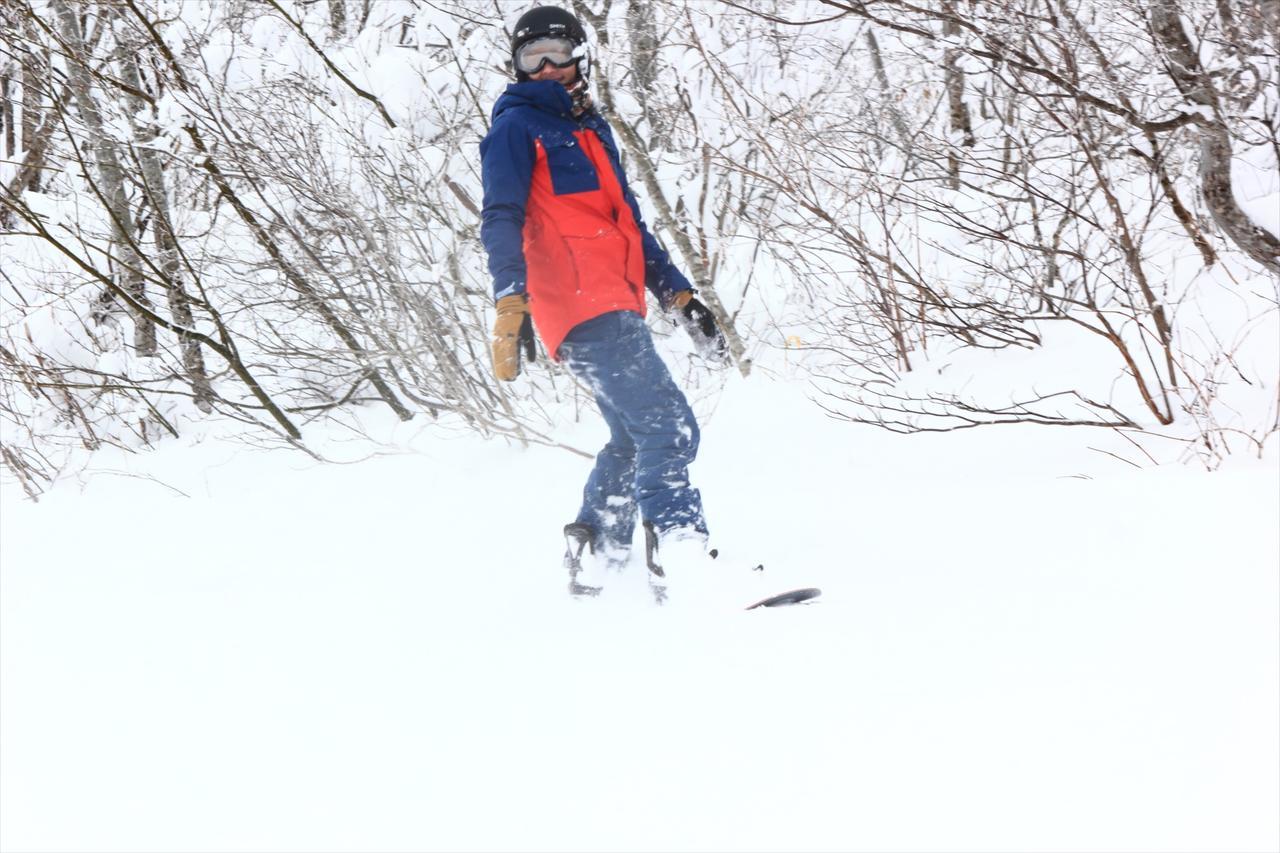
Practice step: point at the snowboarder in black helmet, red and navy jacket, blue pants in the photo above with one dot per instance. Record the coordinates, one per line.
(572, 257)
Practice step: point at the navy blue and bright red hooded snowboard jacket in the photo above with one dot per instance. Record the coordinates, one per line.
(559, 220)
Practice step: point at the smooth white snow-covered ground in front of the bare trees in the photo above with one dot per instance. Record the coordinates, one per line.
(1025, 645)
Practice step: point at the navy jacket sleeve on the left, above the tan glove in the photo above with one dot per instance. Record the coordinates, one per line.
(508, 159)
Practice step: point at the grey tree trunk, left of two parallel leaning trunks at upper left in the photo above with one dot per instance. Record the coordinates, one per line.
(111, 176)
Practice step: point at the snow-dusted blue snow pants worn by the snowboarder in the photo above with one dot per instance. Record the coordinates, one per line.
(653, 435)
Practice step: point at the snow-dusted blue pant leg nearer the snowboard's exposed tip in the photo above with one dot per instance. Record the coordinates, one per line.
(636, 391)
